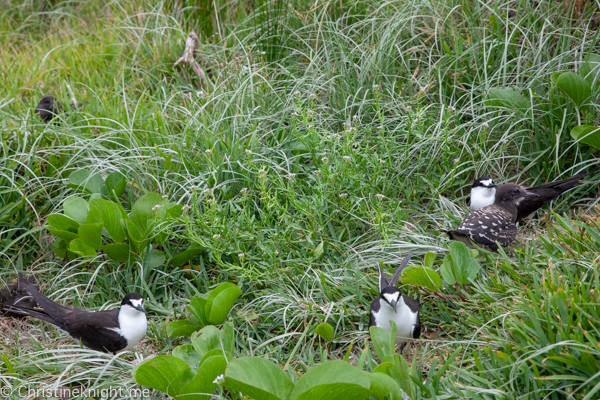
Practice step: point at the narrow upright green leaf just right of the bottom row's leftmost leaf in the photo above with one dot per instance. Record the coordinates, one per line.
(203, 382)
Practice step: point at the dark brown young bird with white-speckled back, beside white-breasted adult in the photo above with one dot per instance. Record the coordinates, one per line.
(495, 223)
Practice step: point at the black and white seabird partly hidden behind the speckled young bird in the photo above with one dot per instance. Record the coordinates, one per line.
(483, 193)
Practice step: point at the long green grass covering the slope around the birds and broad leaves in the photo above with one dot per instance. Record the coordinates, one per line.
(313, 110)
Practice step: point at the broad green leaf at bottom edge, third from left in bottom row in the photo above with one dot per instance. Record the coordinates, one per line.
(258, 378)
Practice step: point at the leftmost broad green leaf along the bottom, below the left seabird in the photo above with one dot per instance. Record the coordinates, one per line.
(164, 373)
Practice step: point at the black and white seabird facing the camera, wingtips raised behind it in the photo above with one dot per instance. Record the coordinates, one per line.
(392, 305)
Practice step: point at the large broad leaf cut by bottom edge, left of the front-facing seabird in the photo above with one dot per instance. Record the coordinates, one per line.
(332, 380)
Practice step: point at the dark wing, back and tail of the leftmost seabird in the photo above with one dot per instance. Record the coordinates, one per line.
(95, 329)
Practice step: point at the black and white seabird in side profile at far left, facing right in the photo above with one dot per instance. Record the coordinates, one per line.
(107, 331)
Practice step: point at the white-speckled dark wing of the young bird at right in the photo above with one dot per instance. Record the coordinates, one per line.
(487, 226)
